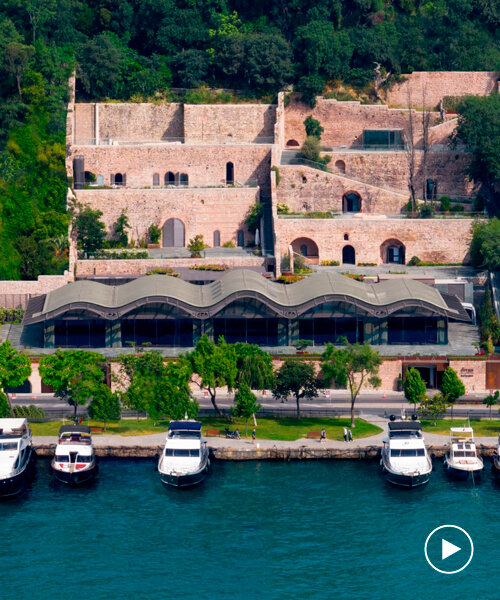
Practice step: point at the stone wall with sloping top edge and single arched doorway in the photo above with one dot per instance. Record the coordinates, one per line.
(324, 191)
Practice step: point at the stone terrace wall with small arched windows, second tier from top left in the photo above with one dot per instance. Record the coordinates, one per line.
(205, 165)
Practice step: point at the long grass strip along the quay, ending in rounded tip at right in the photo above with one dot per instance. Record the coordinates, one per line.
(271, 429)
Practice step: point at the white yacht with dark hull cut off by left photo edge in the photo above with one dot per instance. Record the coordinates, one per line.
(16, 455)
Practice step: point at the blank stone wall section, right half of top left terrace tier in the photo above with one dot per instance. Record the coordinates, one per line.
(221, 122)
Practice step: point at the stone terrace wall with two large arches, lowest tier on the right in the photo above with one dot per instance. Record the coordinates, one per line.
(432, 240)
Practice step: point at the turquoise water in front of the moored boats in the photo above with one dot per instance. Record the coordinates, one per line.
(252, 530)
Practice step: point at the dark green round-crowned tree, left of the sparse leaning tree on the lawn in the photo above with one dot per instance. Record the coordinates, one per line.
(298, 379)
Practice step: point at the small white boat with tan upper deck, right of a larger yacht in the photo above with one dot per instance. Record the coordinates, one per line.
(461, 459)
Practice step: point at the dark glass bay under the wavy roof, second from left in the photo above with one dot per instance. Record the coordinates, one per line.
(158, 332)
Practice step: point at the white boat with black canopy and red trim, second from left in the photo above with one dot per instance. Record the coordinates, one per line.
(74, 461)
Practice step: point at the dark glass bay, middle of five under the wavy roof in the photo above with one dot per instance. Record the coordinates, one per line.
(263, 332)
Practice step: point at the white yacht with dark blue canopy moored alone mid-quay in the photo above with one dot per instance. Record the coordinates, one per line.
(184, 461)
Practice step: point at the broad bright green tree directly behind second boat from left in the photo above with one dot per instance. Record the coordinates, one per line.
(75, 375)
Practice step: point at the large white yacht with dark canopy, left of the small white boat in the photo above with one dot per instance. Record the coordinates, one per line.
(405, 460)
